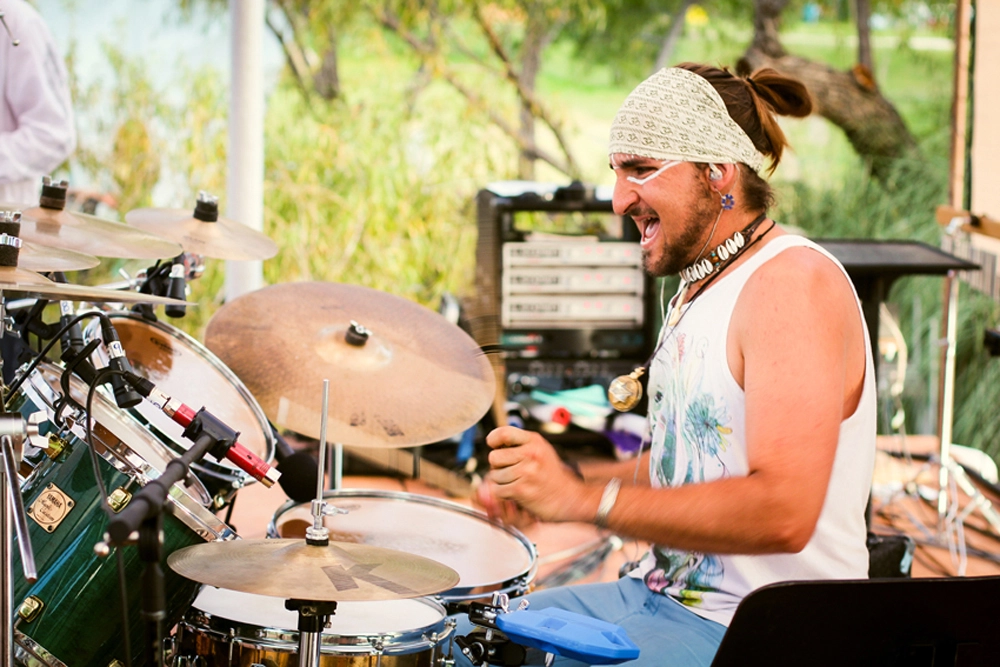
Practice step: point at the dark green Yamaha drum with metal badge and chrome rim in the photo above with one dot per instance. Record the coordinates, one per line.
(72, 614)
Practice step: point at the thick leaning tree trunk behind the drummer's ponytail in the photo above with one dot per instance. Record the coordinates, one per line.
(847, 99)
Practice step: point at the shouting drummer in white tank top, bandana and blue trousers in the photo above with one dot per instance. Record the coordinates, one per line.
(761, 387)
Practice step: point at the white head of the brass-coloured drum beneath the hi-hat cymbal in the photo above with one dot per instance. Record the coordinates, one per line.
(352, 619)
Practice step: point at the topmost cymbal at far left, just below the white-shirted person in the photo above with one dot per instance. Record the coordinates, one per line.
(70, 230)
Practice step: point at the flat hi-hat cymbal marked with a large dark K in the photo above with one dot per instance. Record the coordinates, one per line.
(293, 569)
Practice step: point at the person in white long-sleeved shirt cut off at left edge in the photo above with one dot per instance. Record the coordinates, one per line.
(37, 131)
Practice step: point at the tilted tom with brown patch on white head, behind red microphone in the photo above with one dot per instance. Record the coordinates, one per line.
(186, 370)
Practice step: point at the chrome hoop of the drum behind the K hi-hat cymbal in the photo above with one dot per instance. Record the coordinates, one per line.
(517, 583)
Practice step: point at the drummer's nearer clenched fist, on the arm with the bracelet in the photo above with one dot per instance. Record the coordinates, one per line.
(525, 469)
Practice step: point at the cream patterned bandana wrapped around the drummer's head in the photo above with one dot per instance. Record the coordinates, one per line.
(677, 115)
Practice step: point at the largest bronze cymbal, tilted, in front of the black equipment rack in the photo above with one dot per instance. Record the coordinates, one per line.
(417, 379)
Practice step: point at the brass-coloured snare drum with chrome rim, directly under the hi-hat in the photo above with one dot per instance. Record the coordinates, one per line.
(232, 629)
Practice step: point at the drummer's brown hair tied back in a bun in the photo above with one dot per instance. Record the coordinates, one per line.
(753, 101)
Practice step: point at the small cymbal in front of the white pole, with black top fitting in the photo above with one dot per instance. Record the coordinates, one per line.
(221, 239)
